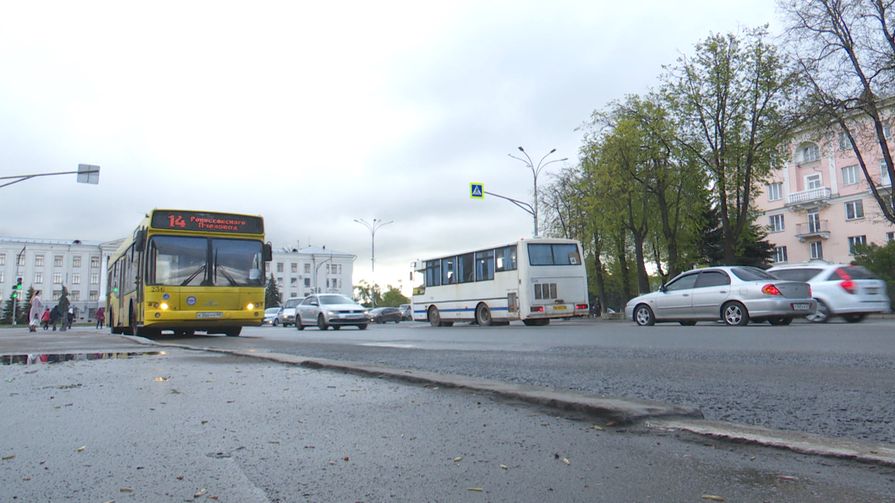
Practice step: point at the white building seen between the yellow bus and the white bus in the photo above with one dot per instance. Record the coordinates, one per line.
(313, 269)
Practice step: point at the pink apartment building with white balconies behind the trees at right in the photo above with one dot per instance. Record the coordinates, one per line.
(819, 205)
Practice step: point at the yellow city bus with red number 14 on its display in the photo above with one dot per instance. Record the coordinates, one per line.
(189, 271)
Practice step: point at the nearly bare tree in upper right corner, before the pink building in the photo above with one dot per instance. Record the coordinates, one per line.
(845, 52)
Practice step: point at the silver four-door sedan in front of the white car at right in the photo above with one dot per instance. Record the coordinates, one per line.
(733, 294)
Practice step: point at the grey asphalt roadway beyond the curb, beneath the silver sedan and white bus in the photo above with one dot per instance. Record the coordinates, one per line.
(835, 379)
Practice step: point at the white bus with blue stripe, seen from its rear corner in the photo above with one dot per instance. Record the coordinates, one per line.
(533, 280)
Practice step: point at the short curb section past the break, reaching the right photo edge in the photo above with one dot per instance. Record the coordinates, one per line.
(805, 443)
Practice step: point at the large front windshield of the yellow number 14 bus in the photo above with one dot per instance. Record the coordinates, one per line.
(201, 261)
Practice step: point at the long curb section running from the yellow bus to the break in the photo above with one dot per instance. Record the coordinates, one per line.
(613, 410)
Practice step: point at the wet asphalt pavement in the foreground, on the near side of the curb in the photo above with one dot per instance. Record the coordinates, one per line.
(195, 426)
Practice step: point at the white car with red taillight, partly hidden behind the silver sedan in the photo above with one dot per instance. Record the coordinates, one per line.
(849, 291)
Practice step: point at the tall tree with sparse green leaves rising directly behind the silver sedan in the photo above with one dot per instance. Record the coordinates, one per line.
(730, 105)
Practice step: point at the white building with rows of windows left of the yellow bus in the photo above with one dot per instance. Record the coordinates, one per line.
(49, 264)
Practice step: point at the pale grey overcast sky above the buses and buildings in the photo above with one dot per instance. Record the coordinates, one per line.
(314, 114)
